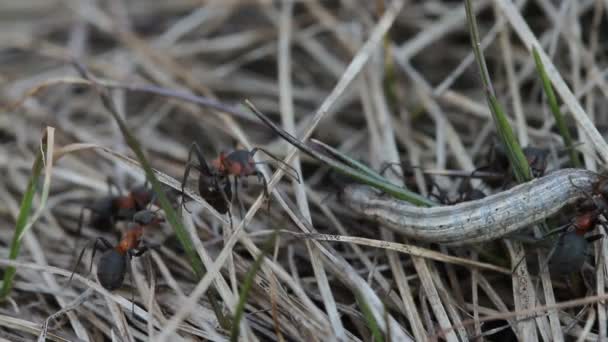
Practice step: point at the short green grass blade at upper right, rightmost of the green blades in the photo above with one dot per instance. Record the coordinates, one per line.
(560, 122)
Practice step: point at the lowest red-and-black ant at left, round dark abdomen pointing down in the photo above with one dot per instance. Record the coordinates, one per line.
(113, 264)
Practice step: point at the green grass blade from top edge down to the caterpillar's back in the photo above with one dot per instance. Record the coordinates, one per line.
(520, 166)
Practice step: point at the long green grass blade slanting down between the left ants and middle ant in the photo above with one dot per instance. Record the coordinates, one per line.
(170, 214)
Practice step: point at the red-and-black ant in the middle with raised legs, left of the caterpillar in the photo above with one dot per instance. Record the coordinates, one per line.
(214, 183)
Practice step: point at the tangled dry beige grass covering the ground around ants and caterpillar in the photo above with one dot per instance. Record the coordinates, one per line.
(323, 69)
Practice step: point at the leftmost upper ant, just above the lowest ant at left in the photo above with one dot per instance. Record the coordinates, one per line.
(107, 210)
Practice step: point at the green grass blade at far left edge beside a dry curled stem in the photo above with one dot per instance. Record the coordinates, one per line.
(24, 213)
